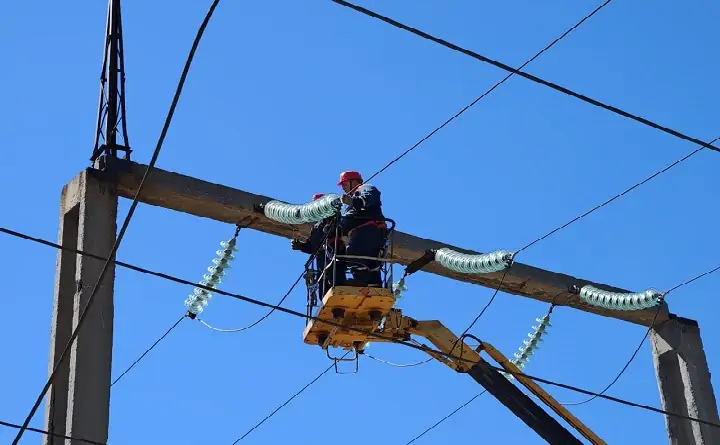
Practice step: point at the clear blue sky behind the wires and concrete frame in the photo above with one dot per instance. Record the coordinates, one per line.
(282, 97)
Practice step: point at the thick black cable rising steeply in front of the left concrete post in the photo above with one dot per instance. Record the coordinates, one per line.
(125, 224)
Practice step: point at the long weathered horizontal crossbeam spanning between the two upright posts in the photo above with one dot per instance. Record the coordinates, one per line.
(205, 199)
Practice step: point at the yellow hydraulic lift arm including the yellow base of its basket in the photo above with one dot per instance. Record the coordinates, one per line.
(365, 308)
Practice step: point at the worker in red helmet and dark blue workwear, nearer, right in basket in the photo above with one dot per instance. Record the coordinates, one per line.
(363, 223)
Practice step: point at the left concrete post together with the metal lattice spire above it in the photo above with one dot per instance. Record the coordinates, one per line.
(78, 402)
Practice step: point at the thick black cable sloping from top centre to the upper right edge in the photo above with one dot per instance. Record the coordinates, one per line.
(531, 77)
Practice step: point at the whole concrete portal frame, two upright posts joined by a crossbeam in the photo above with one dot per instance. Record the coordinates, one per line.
(80, 397)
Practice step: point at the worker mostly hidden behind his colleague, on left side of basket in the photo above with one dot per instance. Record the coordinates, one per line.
(323, 257)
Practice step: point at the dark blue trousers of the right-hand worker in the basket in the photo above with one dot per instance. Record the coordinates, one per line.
(366, 241)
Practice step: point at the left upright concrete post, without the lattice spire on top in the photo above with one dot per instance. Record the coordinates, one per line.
(79, 400)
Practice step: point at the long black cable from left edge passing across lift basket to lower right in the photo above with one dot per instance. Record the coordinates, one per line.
(409, 344)
